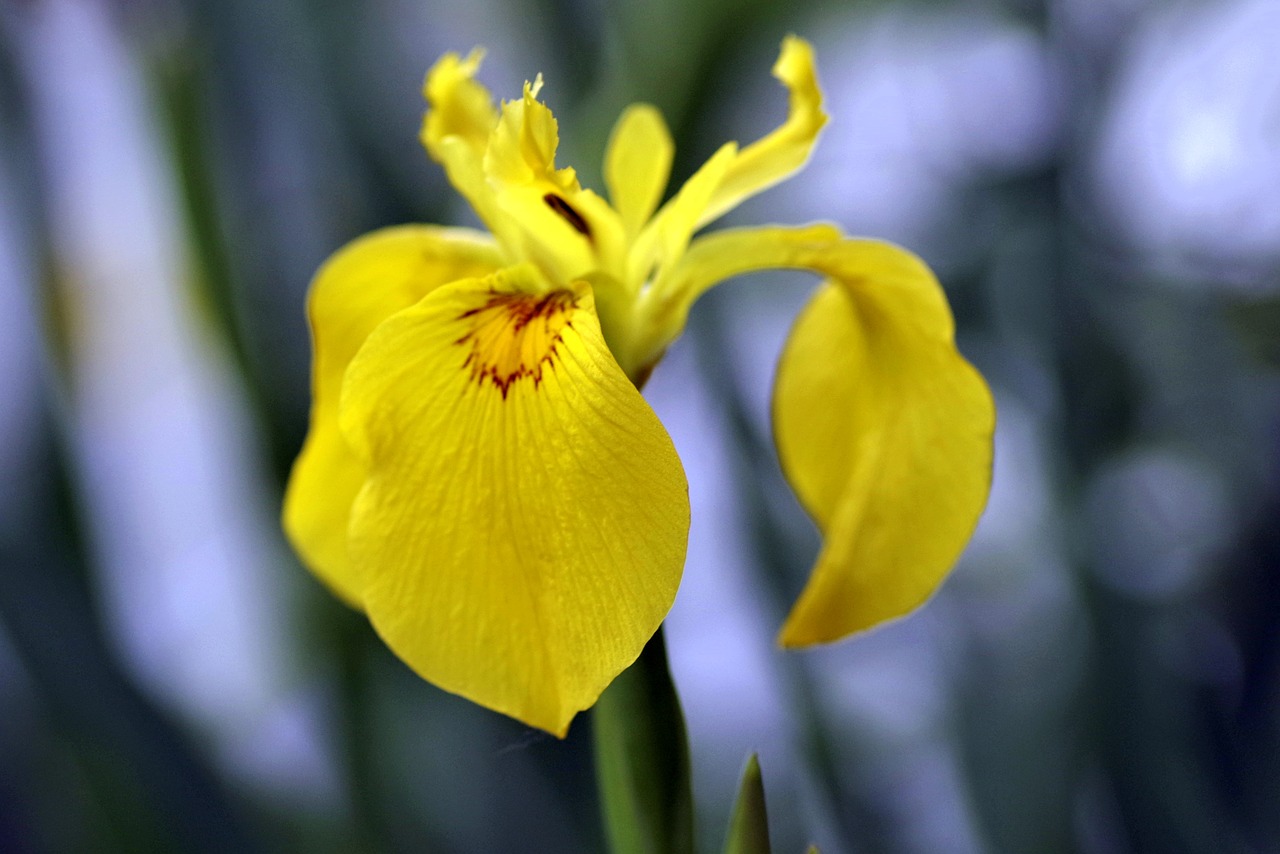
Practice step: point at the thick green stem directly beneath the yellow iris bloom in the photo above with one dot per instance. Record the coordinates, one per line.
(642, 760)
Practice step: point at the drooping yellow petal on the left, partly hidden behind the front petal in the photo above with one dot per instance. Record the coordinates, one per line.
(359, 287)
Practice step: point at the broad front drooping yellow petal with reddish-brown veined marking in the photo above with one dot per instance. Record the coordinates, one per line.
(523, 528)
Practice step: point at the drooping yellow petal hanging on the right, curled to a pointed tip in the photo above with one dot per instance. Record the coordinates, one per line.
(886, 433)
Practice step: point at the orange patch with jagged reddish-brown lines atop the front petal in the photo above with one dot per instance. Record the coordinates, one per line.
(514, 336)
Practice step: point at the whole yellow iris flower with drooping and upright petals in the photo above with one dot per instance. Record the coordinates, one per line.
(482, 476)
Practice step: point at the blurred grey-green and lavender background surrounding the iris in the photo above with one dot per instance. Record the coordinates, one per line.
(1098, 184)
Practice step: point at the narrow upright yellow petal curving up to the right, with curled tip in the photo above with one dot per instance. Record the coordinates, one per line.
(778, 156)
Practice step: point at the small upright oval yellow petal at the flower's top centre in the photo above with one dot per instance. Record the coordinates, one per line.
(638, 165)
